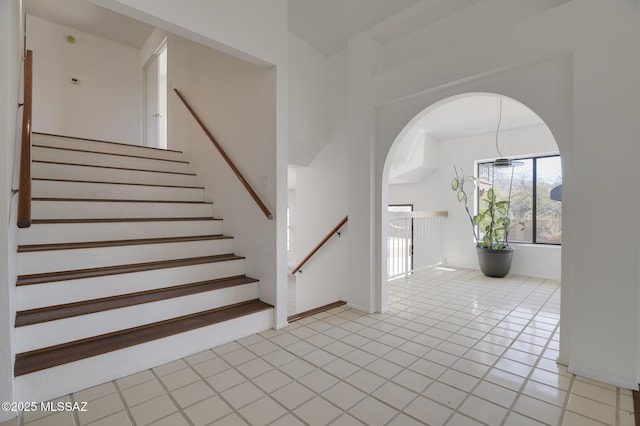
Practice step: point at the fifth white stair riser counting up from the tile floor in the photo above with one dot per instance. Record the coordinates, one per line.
(109, 231)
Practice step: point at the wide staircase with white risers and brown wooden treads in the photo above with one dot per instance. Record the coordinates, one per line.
(123, 268)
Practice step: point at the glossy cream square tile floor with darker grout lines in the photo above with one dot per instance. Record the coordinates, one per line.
(455, 348)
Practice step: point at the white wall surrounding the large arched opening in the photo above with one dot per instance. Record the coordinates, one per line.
(556, 62)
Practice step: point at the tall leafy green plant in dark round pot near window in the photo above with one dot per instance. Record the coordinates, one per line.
(490, 227)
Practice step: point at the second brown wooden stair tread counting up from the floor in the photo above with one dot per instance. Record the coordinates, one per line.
(52, 313)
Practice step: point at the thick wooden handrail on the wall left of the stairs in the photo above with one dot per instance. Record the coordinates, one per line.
(24, 192)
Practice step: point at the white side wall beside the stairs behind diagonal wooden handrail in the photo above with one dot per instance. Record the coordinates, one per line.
(236, 101)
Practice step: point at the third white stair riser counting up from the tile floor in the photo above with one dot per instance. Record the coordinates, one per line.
(61, 292)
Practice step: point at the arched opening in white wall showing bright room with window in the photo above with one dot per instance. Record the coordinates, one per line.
(469, 131)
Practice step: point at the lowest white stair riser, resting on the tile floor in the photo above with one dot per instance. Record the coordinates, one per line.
(68, 378)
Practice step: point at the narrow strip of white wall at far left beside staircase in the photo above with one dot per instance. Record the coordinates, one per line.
(10, 122)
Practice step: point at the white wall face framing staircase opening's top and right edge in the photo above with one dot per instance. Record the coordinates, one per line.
(256, 31)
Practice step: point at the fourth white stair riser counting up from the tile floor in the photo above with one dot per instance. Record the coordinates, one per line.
(69, 260)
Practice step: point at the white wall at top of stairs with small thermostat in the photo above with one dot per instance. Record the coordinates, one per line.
(105, 105)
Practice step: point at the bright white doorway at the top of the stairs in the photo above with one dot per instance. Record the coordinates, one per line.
(155, 124)
